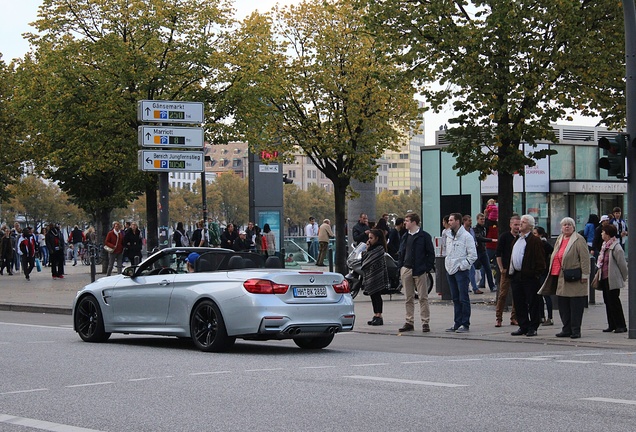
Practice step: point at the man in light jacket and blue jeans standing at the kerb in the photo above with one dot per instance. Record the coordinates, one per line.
(461, 253)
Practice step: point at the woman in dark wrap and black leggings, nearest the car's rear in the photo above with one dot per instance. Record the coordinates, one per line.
(376, 276)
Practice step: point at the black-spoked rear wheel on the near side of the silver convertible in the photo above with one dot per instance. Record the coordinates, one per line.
(207, 328)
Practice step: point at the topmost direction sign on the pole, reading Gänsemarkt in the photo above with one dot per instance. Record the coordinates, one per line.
(170, 112)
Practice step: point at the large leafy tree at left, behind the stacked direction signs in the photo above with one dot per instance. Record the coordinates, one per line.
(91, 61)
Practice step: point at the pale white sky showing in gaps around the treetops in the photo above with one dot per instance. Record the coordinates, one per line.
(17, 14)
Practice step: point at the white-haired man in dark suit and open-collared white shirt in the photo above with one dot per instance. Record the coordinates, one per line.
(527, 263)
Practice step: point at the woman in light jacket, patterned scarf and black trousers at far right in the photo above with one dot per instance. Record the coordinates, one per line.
(610, 278)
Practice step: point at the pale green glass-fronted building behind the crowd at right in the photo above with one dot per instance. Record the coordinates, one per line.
(568, 183)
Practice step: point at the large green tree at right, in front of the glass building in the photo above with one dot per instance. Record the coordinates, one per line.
(510, 69)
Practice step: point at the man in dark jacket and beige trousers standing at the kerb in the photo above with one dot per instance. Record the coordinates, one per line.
(417, 259)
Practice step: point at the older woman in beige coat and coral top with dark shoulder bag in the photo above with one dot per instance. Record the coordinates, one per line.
(568, 277)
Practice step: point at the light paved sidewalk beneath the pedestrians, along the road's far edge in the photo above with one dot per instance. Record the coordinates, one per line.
(43, 294)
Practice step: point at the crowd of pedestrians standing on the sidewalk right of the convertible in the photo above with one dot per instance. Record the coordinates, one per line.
(528, 268)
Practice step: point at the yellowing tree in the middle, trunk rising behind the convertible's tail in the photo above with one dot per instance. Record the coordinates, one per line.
(317, 82)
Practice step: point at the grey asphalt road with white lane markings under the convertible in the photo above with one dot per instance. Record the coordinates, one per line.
(51, 380)
